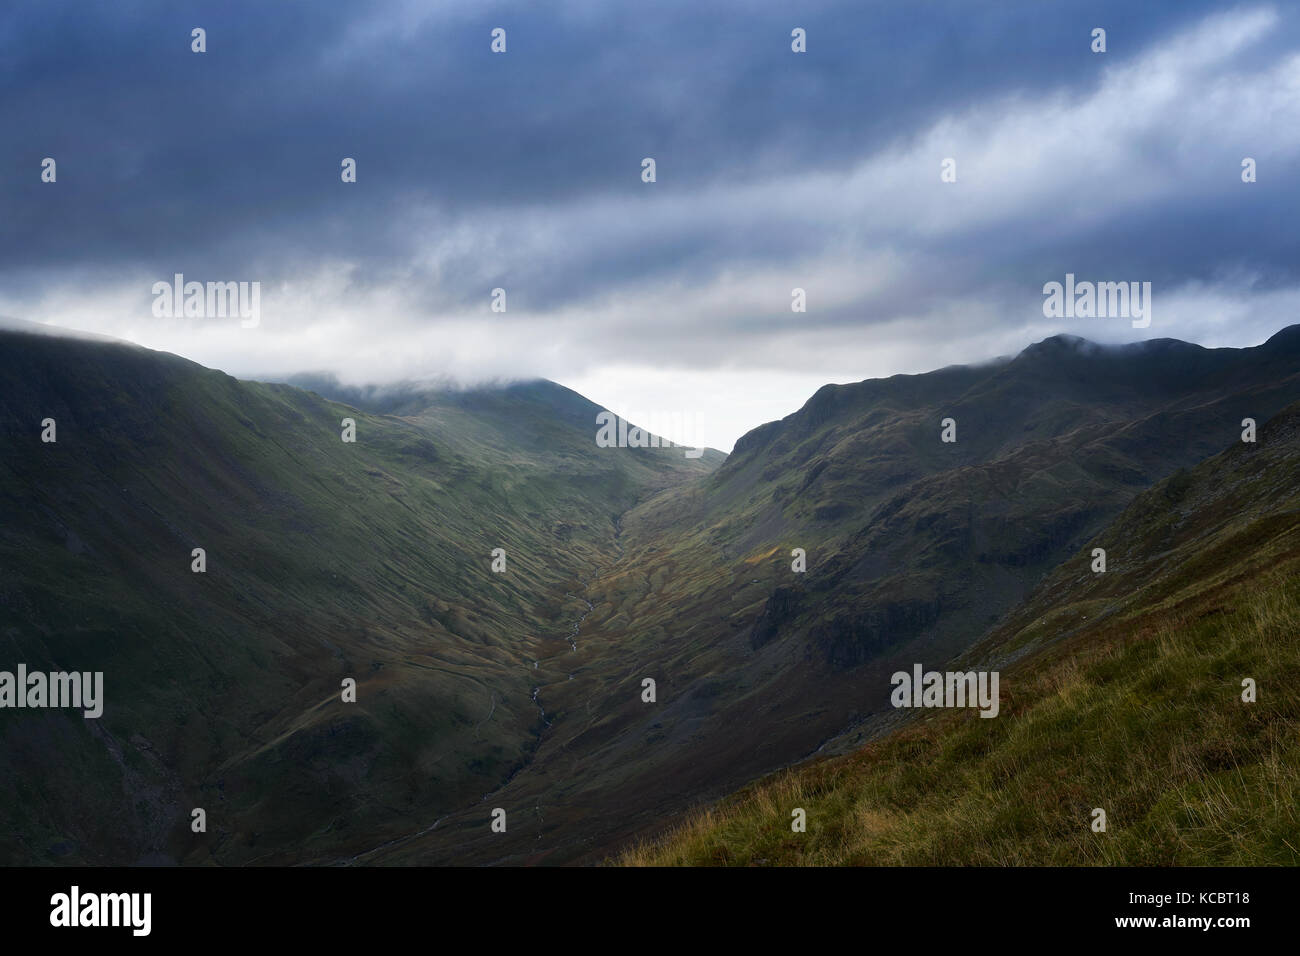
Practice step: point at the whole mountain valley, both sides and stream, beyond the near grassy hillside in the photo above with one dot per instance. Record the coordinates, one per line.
(523, 691)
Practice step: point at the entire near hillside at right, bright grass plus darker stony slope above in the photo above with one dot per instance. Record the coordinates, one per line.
(1120, 691)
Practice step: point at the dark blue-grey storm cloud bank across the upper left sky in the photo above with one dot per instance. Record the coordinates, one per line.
(215, 162)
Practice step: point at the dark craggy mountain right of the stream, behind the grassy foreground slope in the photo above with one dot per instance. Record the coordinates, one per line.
(916, 548)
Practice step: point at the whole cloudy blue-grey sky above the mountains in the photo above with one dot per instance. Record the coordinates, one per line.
(666, 301)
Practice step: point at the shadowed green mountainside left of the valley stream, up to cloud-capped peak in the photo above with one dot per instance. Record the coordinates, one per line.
(324, 561)
